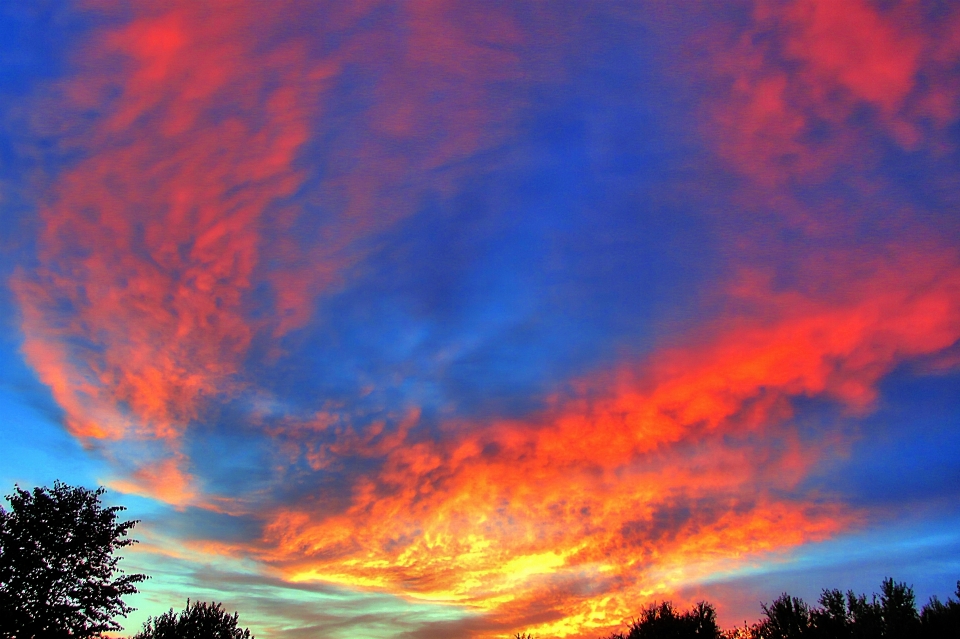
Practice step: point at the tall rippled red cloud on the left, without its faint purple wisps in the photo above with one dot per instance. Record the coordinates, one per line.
(150, 241)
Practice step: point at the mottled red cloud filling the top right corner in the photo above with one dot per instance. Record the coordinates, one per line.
(809, 87)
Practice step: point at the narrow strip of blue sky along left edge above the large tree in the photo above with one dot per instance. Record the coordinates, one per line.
(34, 37)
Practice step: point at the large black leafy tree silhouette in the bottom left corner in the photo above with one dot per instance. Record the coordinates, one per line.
(58, 571)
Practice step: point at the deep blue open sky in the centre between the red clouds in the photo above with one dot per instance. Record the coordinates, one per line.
(559, 258)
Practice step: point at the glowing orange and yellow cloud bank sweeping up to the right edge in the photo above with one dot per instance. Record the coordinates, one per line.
(642, 482)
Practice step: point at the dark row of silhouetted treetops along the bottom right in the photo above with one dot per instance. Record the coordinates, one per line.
(892, 614)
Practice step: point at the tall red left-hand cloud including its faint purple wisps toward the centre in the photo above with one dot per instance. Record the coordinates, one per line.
(187, 124)
